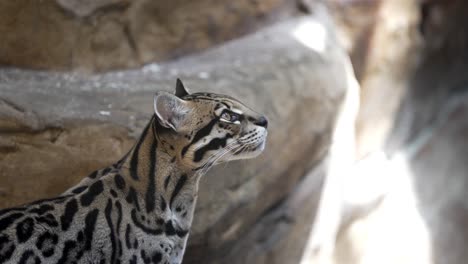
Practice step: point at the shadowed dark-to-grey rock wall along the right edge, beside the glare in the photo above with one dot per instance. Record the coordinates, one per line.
(433, 123)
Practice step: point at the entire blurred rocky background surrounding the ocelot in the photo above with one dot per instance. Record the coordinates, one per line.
(367, 155)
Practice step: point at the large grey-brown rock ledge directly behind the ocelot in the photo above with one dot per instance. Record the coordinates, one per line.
(57, 127)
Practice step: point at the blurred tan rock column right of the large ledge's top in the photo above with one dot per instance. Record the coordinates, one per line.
(384, 47)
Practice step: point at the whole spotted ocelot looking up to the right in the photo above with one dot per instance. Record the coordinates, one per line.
(140, 209)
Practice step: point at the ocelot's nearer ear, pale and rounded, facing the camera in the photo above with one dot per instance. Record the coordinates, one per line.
(170, 110)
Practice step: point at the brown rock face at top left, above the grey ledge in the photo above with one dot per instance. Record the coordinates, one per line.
(100, 35)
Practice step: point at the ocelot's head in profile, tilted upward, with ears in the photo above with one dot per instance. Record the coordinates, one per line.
(210, 128)
